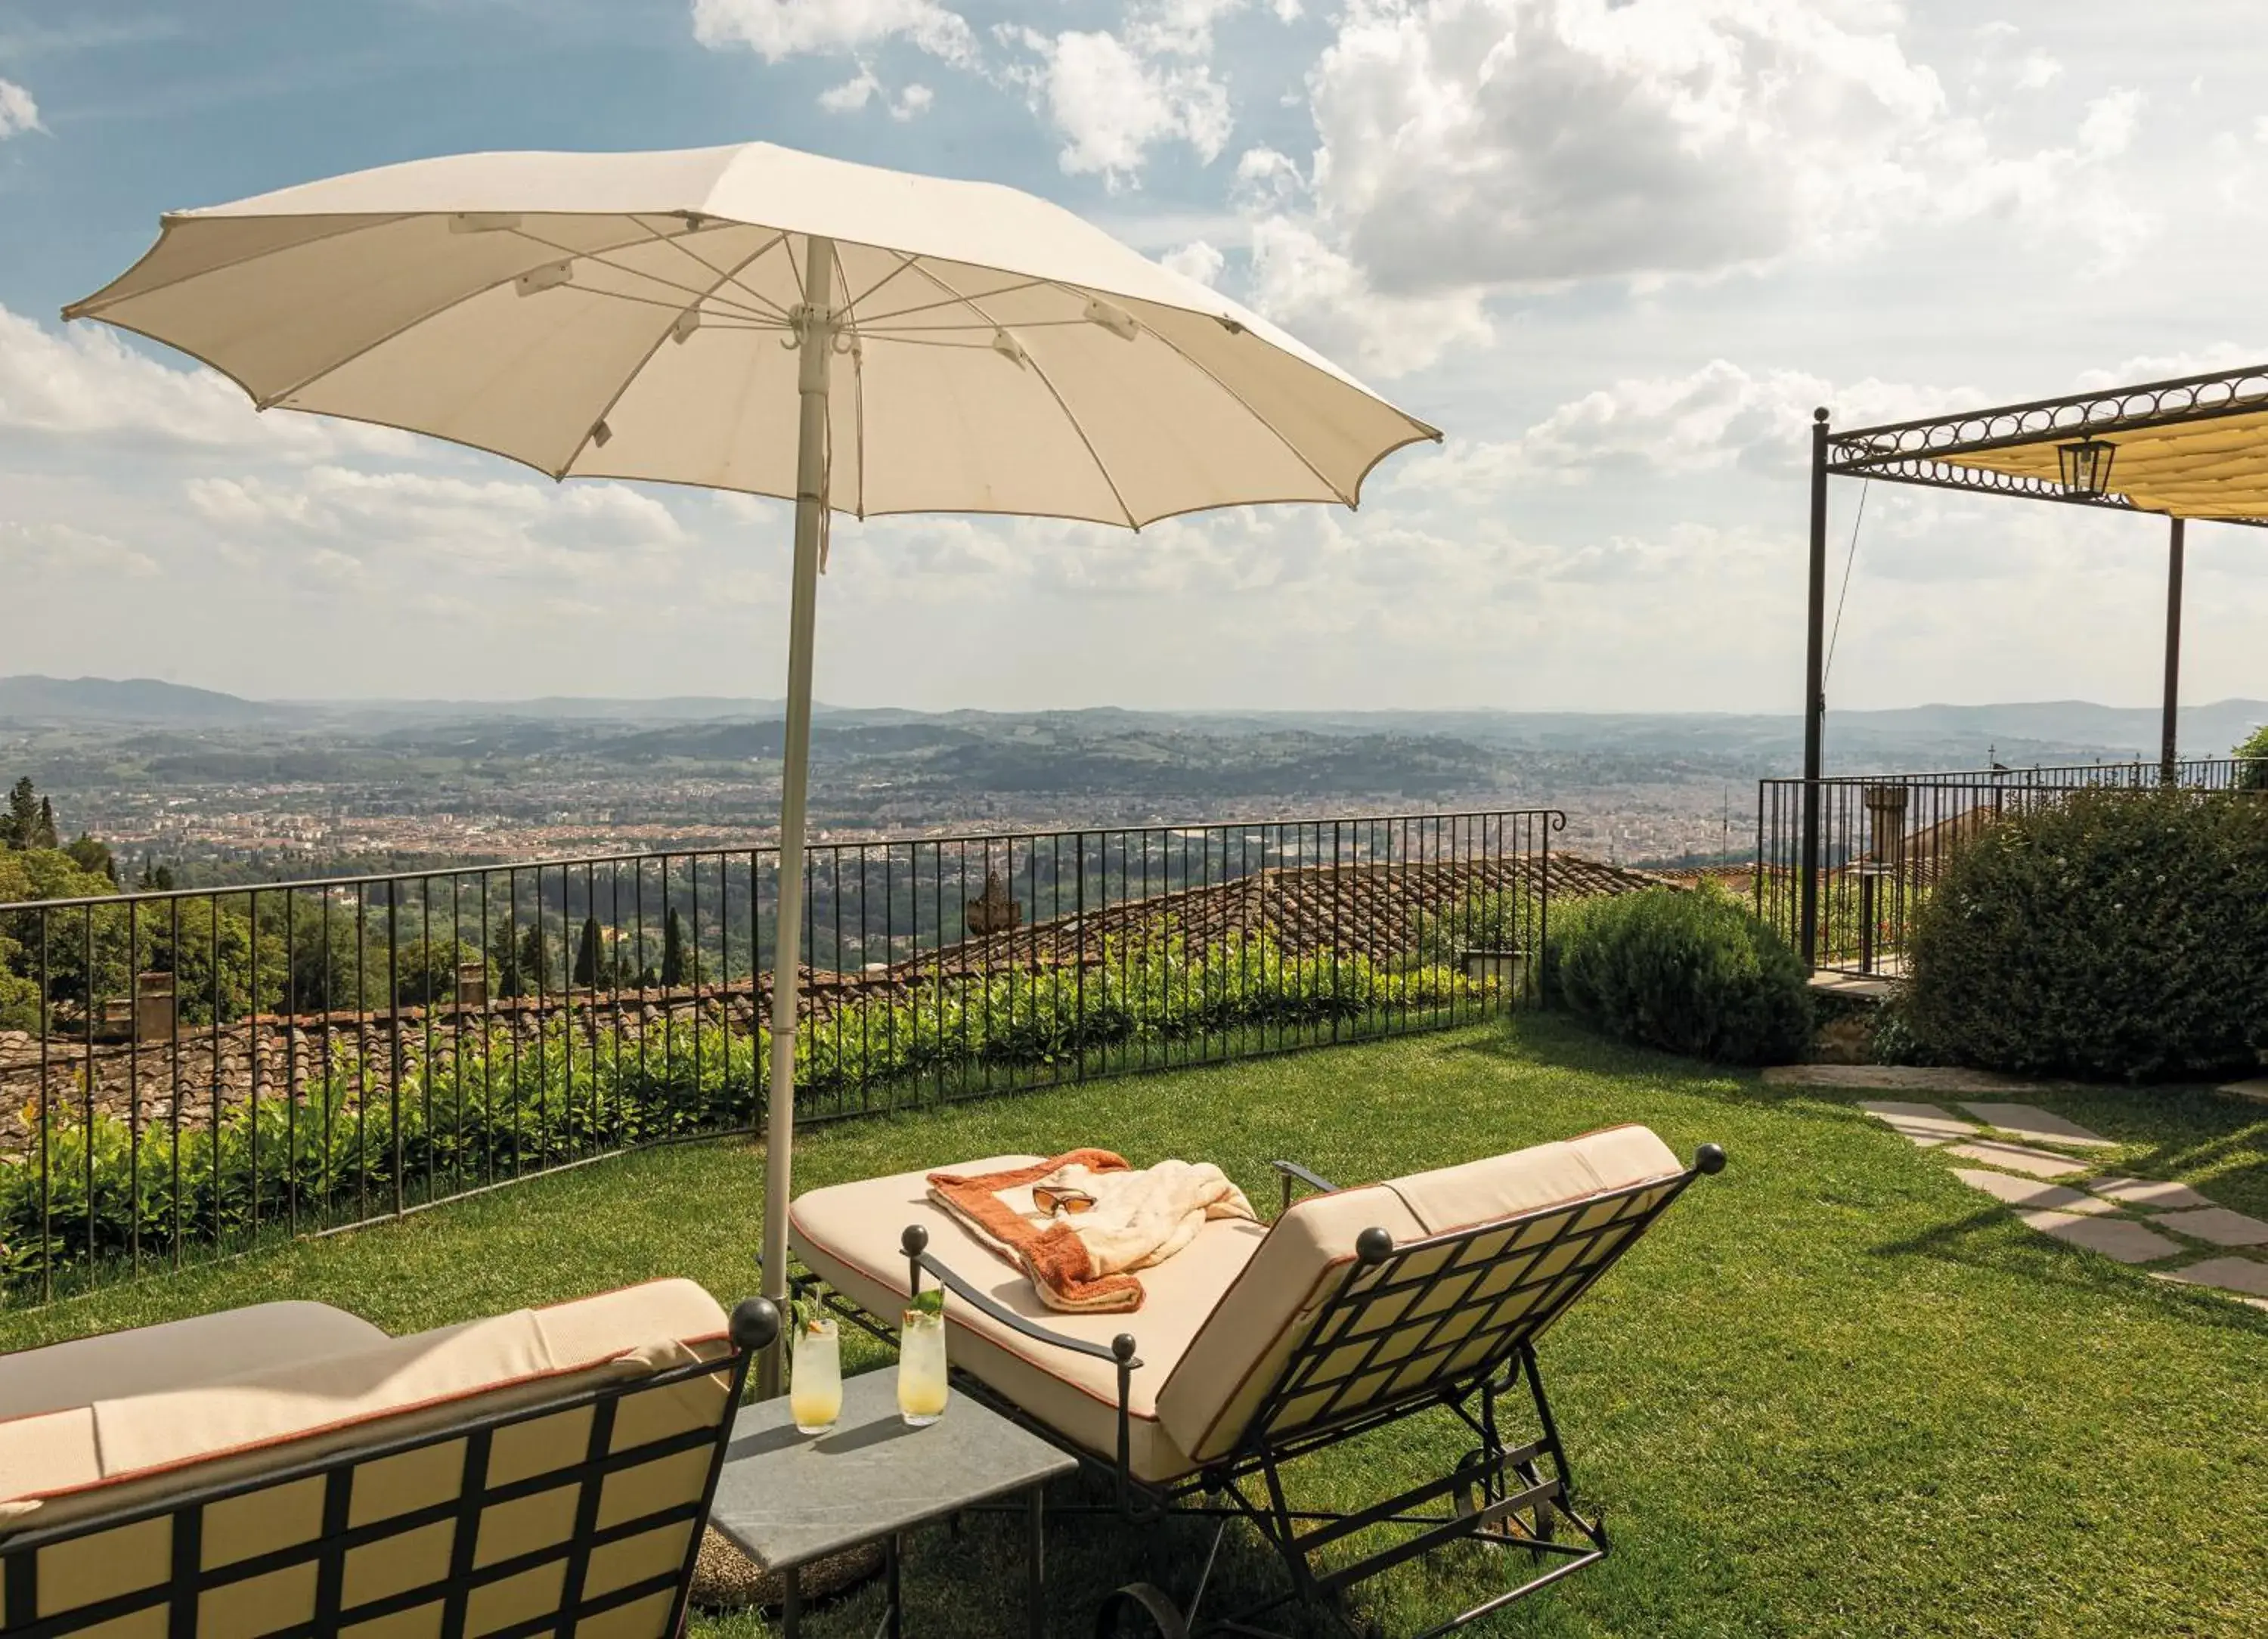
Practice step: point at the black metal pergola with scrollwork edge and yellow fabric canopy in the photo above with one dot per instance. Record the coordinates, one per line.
(2181, 450)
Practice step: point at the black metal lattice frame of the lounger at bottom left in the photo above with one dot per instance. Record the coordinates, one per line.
(754, 1327)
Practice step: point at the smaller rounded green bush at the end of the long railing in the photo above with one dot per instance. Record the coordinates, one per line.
(1691, 971)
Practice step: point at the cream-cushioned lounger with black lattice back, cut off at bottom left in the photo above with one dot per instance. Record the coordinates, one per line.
(294, 1470)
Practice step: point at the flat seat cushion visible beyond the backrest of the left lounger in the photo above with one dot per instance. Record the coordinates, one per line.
(178, 1354)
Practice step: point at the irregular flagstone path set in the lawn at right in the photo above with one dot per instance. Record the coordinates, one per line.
(2124, 1218)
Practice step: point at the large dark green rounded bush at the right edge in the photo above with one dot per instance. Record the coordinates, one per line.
(2113, 935)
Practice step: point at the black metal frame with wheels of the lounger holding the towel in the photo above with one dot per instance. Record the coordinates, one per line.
(1514, 1277)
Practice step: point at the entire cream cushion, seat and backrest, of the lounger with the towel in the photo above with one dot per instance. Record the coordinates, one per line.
(1219, 1318)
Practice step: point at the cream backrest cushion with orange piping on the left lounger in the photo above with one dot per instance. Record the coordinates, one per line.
(130, 1450)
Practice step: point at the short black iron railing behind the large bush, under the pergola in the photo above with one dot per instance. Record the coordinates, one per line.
(1886, 840)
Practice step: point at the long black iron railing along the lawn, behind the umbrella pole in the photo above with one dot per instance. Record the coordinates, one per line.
(201, 1069)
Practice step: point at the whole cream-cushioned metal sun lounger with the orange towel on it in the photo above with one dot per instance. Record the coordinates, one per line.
(1267, 1343)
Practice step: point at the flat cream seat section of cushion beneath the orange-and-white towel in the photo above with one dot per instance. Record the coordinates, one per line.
(849, 1239)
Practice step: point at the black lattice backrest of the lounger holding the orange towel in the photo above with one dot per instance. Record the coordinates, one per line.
(1437, 1316)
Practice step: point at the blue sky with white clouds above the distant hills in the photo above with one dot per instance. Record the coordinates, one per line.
(1616, 250)
